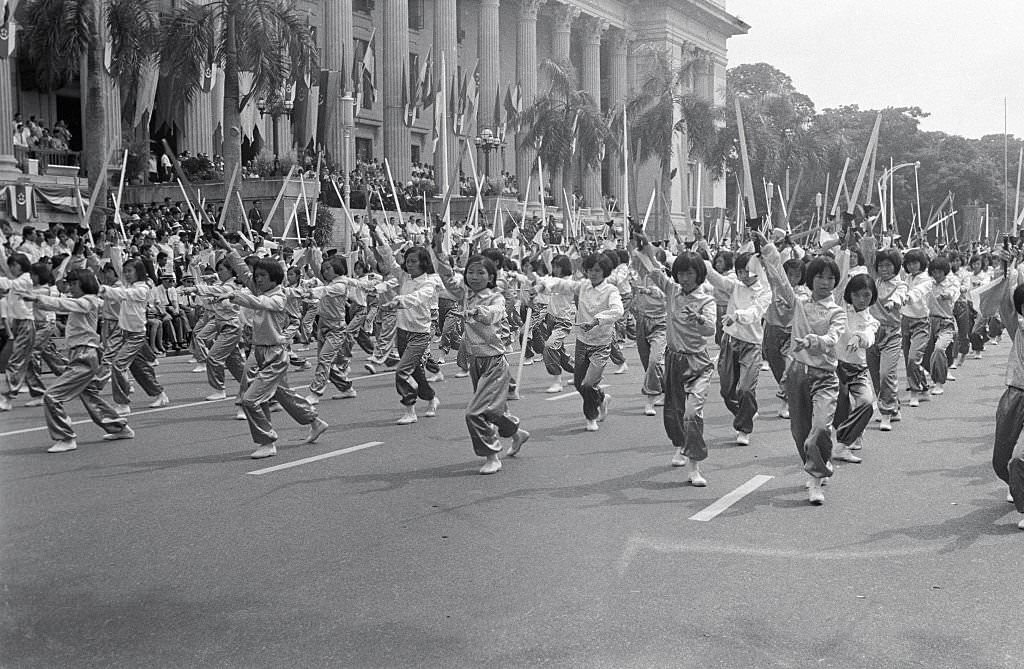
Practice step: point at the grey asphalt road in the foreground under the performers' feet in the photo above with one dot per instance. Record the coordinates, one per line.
(165, 552)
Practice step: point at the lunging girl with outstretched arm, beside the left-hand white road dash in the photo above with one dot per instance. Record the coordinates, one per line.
(269, 372)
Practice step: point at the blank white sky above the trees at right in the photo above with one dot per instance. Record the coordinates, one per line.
(955, 59)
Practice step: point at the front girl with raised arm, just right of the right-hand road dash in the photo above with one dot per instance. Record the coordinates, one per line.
(813, 387)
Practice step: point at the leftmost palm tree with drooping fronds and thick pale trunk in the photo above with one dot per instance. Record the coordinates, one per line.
(59, 35)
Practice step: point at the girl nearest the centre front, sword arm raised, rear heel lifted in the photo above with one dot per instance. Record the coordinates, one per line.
(485, 314)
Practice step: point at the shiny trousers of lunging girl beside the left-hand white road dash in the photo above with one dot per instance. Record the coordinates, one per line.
(269, 374)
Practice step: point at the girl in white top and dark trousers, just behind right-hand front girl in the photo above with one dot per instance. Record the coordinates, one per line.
(857, 398)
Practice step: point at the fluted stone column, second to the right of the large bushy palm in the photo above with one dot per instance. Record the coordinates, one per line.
(396, 61)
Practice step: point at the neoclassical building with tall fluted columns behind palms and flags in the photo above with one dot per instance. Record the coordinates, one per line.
(608, 41)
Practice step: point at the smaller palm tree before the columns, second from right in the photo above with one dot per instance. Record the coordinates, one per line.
(565, 124)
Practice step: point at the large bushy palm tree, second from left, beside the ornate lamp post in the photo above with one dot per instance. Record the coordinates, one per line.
(269, 38)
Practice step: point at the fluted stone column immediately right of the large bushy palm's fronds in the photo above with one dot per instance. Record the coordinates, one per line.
(337, 52)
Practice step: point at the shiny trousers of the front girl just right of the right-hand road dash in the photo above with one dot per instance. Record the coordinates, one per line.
(814, 394)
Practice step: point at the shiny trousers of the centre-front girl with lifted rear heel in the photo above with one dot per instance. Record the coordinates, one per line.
(488, 410)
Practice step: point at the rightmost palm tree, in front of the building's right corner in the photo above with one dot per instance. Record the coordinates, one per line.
(665, 106)
